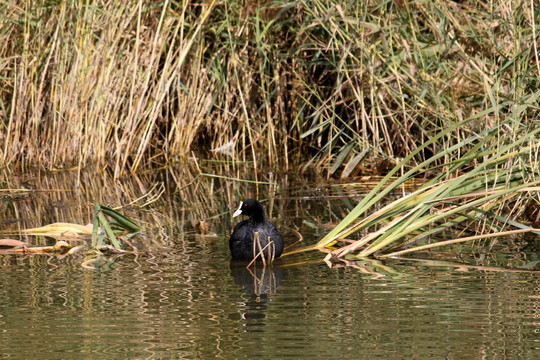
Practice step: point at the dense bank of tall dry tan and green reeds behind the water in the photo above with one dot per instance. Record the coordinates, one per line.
(131, 84)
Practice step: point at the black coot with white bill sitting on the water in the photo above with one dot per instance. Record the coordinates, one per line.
(241, 241)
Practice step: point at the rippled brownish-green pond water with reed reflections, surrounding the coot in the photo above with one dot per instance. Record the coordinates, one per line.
(183, 298)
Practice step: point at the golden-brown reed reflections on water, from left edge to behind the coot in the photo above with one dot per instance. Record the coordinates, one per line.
(173, 199)
